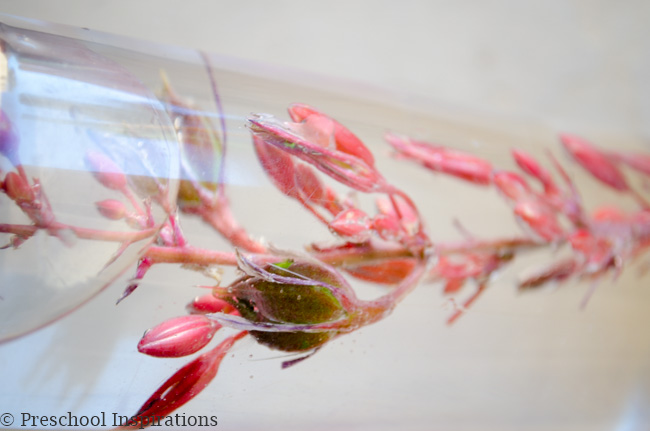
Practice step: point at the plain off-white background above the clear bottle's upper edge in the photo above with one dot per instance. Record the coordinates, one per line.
(578, 65)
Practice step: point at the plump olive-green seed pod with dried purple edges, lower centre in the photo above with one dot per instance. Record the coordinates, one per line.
(301, 294)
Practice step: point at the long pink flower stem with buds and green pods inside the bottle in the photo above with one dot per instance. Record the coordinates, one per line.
(300, 302)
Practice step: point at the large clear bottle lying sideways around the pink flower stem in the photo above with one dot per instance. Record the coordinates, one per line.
(516, 360)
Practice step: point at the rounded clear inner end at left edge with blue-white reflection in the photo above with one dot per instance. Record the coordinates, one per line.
(72, 114)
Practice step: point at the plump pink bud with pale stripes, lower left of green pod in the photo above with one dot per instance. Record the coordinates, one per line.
(177, 337)
